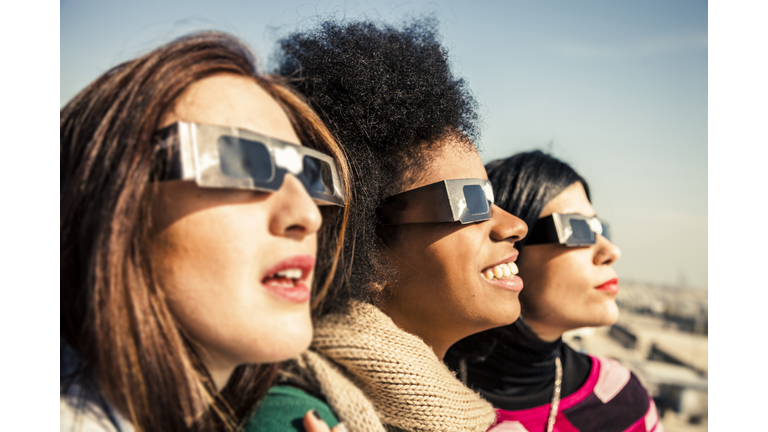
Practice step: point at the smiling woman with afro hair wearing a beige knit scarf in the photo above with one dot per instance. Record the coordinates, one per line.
(433, 257)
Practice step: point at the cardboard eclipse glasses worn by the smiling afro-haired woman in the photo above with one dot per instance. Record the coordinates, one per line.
(463, 200)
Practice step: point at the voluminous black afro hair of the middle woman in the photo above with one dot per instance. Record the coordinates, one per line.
(388, 95)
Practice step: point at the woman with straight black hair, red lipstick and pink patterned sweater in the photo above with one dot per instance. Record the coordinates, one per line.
(537, 382)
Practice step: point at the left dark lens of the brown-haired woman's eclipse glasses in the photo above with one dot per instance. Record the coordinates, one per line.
(242, 158)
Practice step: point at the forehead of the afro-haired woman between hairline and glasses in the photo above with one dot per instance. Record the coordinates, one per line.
(452, 160)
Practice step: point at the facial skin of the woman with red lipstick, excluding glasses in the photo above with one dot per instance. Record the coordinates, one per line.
(560, 282)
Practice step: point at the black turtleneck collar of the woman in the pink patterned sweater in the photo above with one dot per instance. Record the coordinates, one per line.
(519, 371)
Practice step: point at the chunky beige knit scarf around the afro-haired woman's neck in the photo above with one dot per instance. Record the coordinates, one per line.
(372, 372)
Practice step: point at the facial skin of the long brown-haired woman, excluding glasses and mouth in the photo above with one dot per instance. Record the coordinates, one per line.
(210, 248)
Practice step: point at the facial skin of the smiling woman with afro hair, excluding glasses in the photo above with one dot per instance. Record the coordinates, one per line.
(440, 294)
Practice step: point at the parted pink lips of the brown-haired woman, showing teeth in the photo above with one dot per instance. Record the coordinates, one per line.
(288, 278)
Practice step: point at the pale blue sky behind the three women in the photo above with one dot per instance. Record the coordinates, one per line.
(616, 89)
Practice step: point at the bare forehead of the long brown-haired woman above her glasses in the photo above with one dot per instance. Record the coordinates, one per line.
(232, 100)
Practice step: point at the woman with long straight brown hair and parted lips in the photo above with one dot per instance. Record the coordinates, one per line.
(190, 226)
